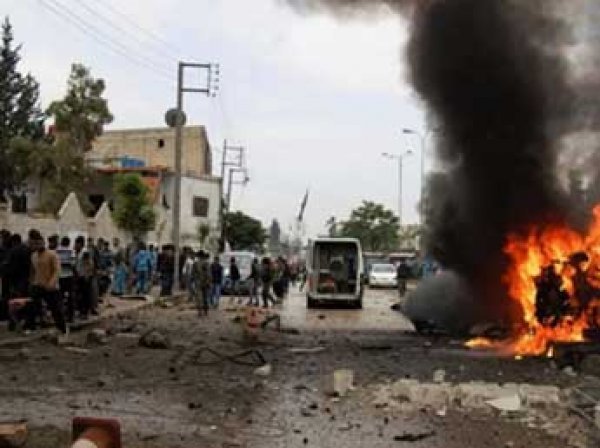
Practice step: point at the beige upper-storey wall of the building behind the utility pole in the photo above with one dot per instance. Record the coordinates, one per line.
(156, 147)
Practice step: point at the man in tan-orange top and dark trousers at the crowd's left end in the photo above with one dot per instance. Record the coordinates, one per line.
(46, 272)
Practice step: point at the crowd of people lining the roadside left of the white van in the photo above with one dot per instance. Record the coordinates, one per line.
(68, 279)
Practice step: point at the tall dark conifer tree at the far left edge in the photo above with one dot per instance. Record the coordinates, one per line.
(20, 113)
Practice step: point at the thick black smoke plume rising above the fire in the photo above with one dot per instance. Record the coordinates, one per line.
(494, 77)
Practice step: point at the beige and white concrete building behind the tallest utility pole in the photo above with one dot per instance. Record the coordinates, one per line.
(150, 153)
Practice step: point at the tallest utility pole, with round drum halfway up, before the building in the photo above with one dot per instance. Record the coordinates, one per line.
(176, 118)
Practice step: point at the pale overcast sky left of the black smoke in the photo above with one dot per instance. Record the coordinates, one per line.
(316, 100)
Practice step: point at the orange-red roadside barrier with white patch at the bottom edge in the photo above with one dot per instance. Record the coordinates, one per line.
(96, 433)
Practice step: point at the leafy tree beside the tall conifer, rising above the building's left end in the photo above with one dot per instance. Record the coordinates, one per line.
(81, 115)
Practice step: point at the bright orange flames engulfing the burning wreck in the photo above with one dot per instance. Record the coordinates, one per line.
(529, 255)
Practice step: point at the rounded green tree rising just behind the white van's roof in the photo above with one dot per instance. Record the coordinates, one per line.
(375, 226)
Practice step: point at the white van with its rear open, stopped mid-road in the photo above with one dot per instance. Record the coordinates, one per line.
(334, 271)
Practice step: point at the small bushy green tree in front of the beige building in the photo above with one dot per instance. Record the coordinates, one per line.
(133, 209)
